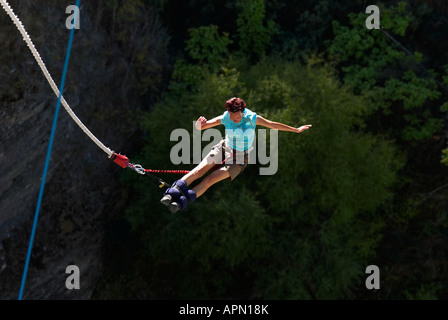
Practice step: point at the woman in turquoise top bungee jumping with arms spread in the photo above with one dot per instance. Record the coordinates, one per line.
(230, 154)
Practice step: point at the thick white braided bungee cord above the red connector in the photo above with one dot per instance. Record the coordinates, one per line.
(47, 75)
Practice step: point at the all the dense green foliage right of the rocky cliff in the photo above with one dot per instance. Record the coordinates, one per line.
(365, 185)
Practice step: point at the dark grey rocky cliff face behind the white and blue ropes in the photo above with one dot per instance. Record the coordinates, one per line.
(82, 190)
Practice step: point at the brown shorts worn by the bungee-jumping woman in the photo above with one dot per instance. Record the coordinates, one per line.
(235, 161)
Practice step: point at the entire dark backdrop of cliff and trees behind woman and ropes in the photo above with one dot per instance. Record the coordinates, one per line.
(366, 185)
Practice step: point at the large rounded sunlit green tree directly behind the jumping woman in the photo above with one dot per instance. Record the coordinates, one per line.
(305, 232)
